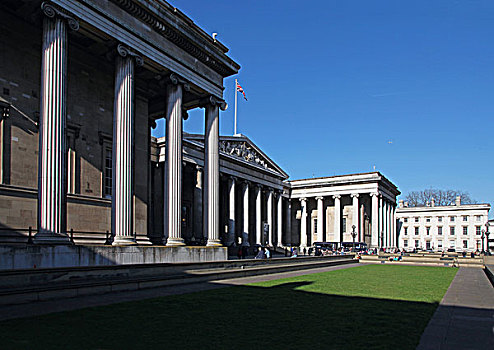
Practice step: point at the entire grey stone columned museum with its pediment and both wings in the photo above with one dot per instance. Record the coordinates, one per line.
(82, 83)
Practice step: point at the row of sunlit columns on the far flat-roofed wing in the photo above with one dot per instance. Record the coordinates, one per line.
(382, 220)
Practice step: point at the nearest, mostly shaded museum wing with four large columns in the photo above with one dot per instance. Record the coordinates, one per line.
(83, 83)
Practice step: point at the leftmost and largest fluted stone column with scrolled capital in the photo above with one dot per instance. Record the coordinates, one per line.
(52, 189)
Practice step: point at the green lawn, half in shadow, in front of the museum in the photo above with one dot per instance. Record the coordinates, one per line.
(371, 306)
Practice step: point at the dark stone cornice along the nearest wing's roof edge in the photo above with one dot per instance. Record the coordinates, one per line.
(171, 33)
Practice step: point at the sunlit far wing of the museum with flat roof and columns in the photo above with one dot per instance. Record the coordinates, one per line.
(331, 206)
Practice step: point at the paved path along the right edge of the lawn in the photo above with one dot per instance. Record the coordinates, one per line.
(465, 316)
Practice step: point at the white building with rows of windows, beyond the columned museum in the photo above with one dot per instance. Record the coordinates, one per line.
(442, 227)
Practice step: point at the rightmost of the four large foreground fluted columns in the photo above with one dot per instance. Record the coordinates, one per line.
(212, 170)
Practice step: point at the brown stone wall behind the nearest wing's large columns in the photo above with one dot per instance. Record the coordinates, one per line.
(89, 122)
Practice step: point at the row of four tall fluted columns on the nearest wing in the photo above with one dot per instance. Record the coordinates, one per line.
(52, 190)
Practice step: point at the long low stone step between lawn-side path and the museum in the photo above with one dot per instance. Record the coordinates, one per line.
(108, 279)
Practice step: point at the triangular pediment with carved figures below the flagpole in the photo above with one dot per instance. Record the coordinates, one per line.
(242, 148)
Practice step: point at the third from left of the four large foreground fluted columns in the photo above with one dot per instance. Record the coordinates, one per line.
(173, 175)
